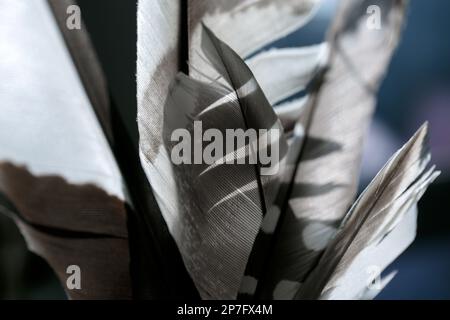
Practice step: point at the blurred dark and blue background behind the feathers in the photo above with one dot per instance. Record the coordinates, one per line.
(417, 89)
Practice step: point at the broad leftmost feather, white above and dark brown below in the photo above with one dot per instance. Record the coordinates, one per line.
(57, 170)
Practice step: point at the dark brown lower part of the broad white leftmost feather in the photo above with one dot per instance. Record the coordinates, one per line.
(89, 230)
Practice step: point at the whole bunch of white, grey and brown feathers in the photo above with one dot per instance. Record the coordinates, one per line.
(141, 227)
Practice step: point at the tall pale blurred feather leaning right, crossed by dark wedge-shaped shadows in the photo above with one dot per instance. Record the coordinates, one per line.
(326, 179)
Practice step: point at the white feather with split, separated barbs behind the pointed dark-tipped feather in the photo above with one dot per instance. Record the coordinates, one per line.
(234, 29)
